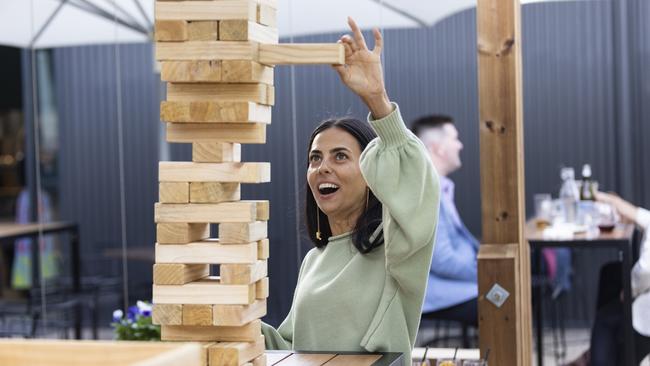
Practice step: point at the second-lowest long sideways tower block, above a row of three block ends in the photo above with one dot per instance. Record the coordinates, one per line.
(205, 291)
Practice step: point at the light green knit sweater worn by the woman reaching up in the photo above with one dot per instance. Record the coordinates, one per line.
(348, 301)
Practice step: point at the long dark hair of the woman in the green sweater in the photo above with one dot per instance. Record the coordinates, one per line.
(370, 218)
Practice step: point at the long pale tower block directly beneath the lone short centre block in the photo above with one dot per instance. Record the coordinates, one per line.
(179, 171)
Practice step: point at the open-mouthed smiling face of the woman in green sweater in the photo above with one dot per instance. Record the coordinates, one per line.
(334, 175)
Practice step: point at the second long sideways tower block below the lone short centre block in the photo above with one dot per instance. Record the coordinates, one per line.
(242, 211)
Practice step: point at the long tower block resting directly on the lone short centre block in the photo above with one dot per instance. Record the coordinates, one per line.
(244, 133)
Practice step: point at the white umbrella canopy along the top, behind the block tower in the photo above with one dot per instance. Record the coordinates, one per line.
(58, 23)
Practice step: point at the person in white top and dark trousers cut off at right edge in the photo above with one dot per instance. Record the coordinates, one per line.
(607, 334)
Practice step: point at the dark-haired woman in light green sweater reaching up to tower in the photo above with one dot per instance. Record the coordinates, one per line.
(372, 209)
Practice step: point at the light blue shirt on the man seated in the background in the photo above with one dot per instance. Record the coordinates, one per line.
(453, 273)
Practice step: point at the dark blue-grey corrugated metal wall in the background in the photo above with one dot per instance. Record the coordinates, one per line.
(569, 113)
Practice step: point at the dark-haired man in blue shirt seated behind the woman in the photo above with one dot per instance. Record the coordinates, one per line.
(453, 285)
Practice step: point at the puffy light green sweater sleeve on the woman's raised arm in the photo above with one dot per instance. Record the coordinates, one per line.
(398, 170)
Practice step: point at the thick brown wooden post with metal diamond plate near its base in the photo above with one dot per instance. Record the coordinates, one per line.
(504, 258)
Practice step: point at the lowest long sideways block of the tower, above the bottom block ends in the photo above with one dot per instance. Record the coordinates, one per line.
(247, 333)
